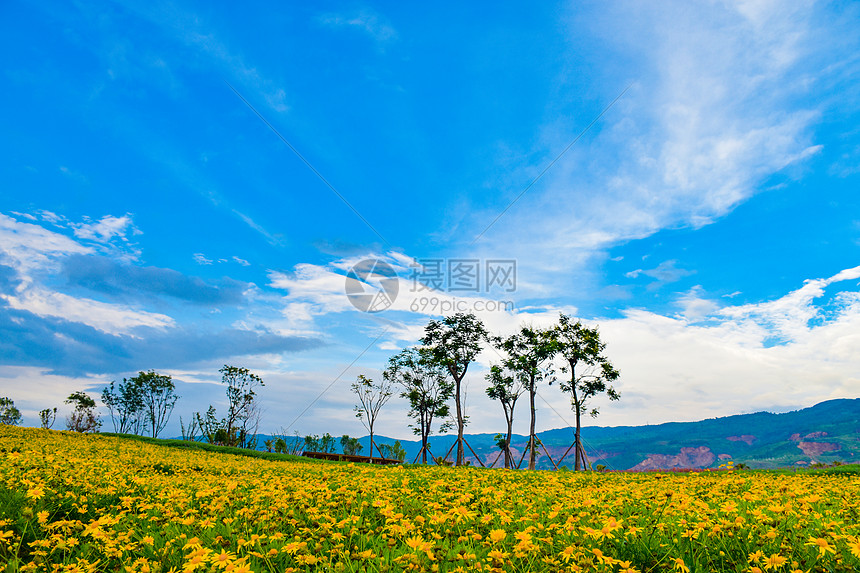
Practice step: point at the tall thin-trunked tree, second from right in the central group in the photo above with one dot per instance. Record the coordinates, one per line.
(528, 352)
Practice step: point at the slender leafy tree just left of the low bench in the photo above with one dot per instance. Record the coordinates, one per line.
(243, 412)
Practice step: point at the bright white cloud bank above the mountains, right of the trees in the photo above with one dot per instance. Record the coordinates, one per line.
(674, 369)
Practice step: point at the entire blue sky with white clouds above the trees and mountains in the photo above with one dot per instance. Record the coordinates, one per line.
(708, 221)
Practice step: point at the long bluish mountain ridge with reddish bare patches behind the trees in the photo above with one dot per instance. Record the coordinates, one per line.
(825, 433)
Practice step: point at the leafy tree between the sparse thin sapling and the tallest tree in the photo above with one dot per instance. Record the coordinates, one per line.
(425, 384)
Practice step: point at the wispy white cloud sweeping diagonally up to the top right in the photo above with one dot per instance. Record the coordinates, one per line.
(715, 109)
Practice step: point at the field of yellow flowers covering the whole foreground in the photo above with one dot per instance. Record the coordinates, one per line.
(73, 502)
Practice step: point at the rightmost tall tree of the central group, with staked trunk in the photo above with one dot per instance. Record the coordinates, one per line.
(581, 348)
